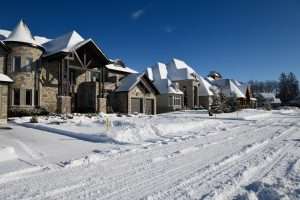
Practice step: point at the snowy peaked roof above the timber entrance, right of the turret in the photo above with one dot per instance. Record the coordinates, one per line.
(63, 43)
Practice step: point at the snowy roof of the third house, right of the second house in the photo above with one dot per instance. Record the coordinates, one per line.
(229, 88)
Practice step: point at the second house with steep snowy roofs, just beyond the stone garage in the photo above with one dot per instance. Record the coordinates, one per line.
(182, 80)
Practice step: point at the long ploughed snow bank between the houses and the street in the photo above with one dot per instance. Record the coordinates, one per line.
(120, 130)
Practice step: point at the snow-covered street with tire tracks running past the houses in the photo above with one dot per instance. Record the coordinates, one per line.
(226, 159)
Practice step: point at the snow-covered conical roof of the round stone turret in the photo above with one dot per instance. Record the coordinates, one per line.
(21, 33)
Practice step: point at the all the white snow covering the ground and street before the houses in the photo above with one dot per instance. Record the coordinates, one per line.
(252, 154)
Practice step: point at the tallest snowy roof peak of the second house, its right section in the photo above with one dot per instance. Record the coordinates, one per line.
(179, 70)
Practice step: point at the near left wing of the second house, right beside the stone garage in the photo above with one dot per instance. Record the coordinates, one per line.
(170, 97)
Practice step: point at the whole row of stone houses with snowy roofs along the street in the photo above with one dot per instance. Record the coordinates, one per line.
(72, 74)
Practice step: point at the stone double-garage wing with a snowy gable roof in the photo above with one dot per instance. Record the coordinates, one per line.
(135, 94)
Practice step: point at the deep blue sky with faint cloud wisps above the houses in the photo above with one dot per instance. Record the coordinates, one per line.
(243, 39)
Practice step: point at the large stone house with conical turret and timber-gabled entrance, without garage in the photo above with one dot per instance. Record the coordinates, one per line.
(65, 74)
